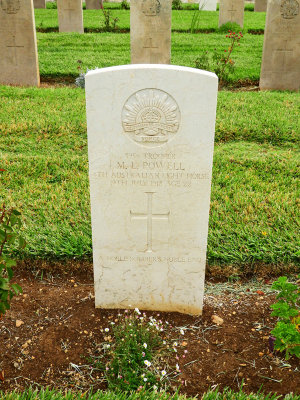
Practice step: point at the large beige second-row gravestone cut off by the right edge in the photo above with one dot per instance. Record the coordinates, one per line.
(281, 52)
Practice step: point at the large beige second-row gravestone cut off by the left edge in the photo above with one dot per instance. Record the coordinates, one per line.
(18, 49)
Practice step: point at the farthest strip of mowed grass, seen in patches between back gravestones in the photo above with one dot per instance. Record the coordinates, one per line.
(181, 19)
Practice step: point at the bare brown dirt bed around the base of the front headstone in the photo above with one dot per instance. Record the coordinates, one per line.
(61, 327)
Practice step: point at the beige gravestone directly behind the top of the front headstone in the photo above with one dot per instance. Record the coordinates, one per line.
(150, 31)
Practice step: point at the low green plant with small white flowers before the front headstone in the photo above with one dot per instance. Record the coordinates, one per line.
(135, 352)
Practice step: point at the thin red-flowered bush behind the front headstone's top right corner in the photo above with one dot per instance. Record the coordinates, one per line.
(220, 63)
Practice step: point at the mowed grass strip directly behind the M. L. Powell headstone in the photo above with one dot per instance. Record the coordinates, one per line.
(254, 206)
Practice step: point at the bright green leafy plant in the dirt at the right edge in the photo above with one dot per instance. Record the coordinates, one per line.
(287, 309)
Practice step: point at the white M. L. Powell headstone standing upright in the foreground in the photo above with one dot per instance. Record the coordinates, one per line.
(150, 139)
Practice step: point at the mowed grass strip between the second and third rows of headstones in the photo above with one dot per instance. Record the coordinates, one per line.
(59, 53)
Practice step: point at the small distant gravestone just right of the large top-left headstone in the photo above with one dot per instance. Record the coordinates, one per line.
(70, 16)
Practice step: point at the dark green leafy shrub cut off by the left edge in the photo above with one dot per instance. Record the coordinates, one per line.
(10, 224)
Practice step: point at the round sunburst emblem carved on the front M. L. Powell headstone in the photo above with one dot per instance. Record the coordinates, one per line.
(151, 117)
